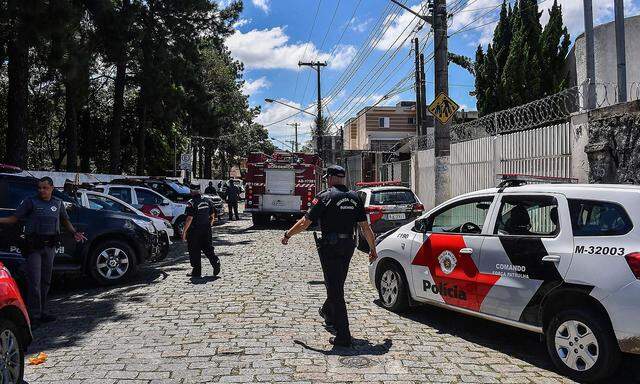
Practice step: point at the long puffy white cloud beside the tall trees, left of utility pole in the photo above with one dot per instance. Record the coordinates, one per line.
(270, 49)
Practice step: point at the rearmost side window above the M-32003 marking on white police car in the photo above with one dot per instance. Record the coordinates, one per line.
(598, 218)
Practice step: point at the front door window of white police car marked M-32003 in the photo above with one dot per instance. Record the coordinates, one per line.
(463, 217)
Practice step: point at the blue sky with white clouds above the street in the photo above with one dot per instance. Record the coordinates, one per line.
(273, 35)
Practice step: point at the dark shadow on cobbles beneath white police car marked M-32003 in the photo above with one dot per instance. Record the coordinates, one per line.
(521, 344)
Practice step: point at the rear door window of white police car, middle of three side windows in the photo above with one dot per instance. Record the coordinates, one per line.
(528, 216)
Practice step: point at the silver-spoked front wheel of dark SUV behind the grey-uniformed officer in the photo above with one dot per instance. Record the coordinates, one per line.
(112, 262)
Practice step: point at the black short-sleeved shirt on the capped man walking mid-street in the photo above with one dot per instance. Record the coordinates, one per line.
(338, 210)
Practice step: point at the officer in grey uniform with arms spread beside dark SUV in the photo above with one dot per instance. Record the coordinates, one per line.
(43, 214)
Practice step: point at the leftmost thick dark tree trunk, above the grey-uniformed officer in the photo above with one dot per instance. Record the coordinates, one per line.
(17, 96)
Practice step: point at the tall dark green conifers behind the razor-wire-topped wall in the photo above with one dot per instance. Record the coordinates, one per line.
(524, 62)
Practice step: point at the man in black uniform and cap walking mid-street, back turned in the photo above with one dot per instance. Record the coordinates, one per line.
(338, 210)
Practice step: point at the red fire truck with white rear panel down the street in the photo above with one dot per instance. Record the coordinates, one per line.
(281, 185)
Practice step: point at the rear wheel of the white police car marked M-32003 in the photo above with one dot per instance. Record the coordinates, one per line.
(588, 333)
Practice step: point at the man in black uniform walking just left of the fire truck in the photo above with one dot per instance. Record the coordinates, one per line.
(197, 232)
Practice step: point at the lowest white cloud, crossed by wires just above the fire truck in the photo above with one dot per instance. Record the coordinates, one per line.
(274, 112)
